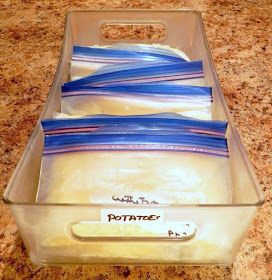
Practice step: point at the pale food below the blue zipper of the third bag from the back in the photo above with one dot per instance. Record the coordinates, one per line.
(130, 105)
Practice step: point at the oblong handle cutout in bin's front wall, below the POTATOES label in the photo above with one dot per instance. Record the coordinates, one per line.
(97, 231)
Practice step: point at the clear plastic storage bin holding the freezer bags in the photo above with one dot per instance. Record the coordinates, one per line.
(189, 234)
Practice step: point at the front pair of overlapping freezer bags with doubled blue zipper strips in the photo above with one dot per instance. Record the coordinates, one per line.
(165, 158)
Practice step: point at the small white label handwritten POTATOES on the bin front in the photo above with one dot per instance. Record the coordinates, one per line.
(131, 216)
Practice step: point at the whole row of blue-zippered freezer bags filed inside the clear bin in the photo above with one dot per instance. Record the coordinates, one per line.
(120, 149)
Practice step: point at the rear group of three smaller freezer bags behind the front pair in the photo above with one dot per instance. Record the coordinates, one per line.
(127, 79)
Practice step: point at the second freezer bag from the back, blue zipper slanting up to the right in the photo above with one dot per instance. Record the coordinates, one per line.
(184, 73)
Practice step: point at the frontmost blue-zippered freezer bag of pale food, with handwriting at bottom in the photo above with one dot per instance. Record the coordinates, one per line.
(97, 168)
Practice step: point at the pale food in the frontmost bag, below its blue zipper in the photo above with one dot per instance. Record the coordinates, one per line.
(97, 176)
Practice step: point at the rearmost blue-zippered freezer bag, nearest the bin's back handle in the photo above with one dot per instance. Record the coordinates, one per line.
(86, 60)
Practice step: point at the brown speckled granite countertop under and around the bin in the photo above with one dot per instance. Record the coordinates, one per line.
(239, 34)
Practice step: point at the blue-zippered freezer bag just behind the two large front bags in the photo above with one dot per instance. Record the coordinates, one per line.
(195, 102)
